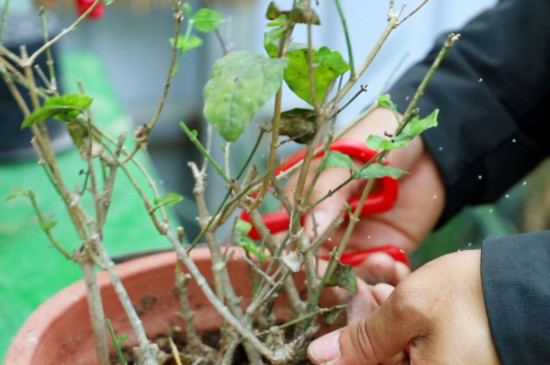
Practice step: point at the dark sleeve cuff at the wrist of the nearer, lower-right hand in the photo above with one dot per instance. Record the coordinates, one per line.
(515, 273)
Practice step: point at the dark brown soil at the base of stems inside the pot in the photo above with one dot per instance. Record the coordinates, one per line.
(209, 338)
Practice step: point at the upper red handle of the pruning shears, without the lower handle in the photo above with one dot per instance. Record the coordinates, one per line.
(378, 202)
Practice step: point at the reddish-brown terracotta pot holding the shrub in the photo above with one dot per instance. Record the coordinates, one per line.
(59, 331)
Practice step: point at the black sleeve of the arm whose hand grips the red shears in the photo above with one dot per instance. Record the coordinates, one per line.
(493, 92)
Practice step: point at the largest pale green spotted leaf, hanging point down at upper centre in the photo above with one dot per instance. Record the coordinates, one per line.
(240, 84)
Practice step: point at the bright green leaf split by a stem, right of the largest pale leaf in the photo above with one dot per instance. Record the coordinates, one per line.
(330, 65)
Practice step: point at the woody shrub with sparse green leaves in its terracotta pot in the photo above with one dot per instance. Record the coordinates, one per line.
(288, 271)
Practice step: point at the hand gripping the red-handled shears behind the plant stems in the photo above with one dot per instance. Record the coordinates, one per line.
(417, 209)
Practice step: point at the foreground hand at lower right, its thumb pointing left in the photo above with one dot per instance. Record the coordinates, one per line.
(435, 316)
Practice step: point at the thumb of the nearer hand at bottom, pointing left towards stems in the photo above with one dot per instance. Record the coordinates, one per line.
(378, 337)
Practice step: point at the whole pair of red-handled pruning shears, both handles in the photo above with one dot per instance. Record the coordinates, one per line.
(380, 201)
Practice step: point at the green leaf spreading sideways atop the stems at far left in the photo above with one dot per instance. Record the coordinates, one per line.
(65, 108)
